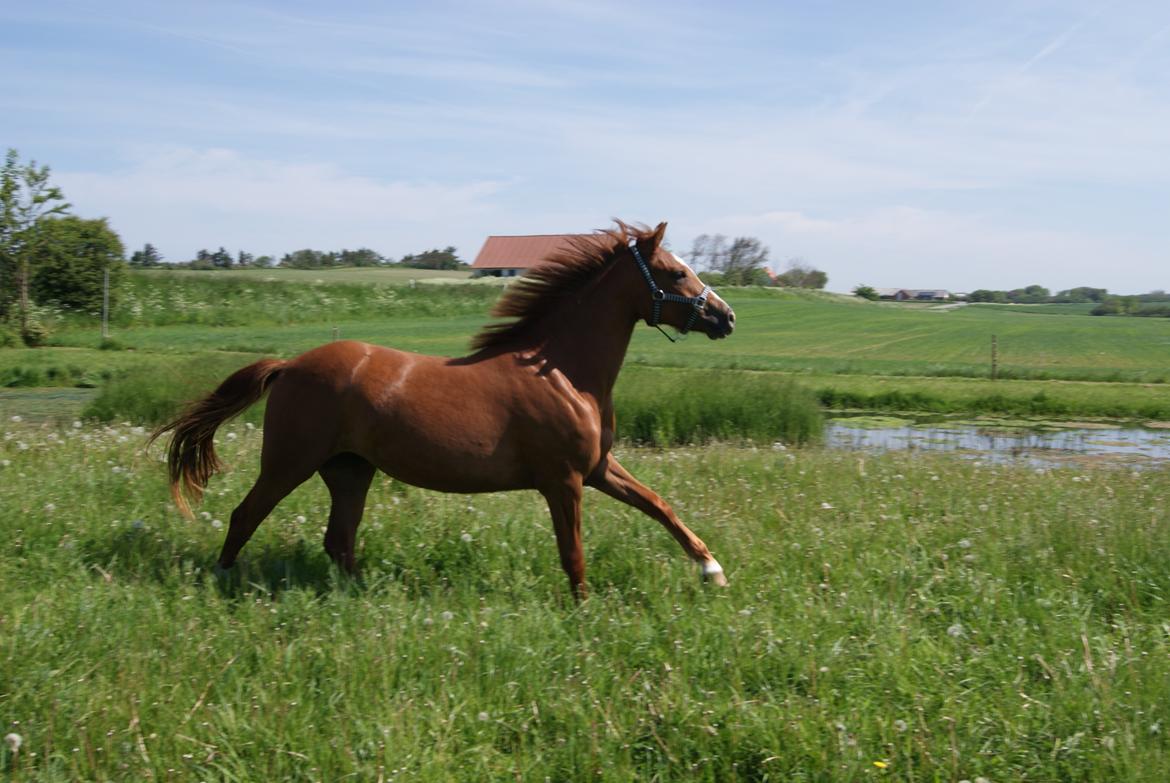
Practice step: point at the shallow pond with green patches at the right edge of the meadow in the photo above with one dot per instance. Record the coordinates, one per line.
(1045, 444)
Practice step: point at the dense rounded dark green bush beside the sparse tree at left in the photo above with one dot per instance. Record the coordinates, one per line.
(72, 260)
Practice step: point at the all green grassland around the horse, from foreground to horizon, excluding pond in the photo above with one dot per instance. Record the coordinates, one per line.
(911, 617)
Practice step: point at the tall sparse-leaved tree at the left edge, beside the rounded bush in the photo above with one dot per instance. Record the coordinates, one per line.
(27, 200)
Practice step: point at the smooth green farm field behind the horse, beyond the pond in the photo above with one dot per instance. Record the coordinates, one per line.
(852, 354)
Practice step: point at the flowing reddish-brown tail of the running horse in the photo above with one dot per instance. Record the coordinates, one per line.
(191, 457)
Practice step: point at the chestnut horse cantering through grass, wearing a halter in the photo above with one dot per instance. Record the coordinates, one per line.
(531, 409)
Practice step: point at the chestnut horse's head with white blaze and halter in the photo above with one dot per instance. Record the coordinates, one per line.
(675, 294)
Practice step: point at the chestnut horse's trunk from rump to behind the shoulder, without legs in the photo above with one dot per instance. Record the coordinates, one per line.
(424, 420)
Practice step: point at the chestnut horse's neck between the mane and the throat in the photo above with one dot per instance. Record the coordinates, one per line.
(588, 342)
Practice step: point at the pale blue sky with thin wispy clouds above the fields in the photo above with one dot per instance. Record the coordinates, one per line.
(911, 145)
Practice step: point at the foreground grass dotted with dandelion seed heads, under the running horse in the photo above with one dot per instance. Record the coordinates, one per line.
(912, 619)
